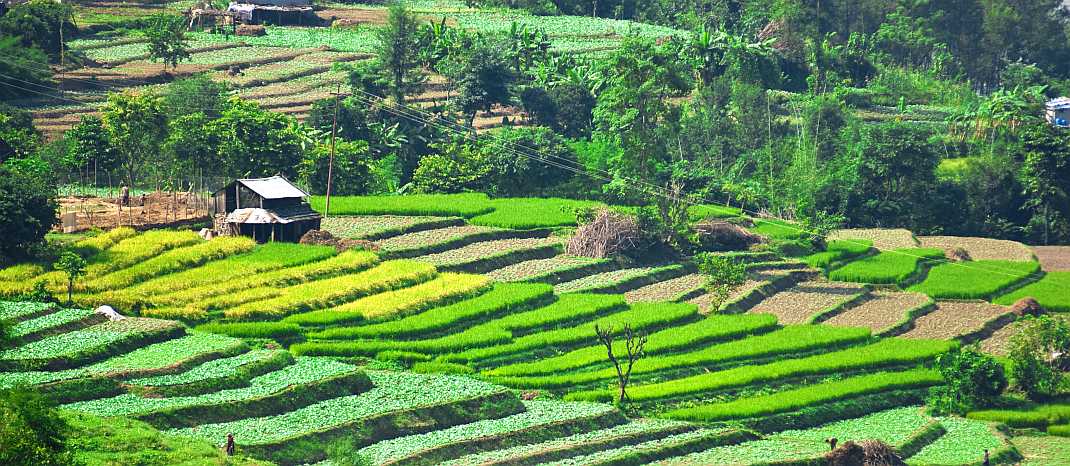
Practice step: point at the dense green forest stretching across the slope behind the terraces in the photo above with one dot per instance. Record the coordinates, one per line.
(927, 115)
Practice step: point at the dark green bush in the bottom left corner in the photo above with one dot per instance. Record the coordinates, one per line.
(32, 431)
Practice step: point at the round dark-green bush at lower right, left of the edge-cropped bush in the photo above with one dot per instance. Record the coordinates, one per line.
(973, 381)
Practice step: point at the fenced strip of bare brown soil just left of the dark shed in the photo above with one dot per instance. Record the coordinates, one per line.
(160, 210)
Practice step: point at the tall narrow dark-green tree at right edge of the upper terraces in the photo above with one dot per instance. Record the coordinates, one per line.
(400, 53)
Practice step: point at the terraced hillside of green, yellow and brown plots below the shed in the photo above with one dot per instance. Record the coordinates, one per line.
(791, 351)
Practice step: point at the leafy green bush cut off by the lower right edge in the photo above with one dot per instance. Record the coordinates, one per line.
(1040, 356)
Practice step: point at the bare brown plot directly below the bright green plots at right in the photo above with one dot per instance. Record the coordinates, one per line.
(957, 319)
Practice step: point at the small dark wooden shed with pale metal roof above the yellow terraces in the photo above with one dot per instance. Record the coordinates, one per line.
(266, 210)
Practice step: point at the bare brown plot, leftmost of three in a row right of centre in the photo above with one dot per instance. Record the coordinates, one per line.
(808, 300)
